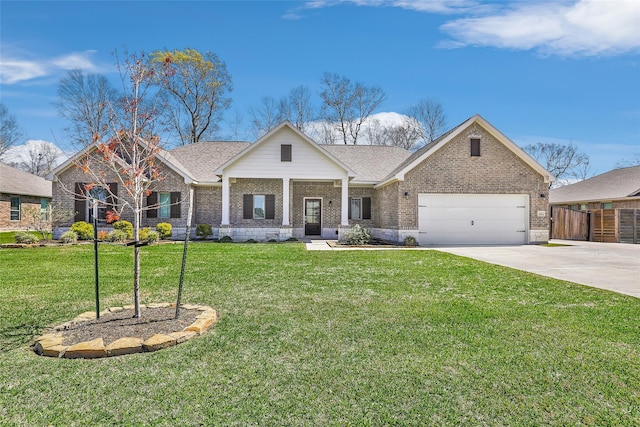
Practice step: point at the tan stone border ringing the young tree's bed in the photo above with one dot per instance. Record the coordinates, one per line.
(52, 345)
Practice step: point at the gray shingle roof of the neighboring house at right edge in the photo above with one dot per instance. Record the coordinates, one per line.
(613, 185)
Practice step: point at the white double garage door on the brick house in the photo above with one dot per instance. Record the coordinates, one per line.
(472, 218)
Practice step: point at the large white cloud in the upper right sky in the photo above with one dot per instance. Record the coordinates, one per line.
(583, 28)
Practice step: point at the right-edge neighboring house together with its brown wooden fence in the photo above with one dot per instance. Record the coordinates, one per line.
(604, 208)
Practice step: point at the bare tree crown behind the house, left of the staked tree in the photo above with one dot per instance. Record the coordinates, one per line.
(85, 100)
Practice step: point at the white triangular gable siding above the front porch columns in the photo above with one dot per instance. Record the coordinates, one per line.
(307, 162)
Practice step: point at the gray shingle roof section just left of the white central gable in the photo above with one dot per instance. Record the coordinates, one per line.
(202, 158)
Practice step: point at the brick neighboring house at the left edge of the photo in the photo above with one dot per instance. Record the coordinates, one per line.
(21, 196)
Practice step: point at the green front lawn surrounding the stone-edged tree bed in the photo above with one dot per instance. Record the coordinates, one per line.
(323, 338)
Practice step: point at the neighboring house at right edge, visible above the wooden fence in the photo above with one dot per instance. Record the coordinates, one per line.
(619, 188)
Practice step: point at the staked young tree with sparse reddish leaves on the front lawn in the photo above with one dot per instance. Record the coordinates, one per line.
(126, 152)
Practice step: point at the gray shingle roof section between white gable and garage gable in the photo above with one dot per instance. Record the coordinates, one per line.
(371, 163)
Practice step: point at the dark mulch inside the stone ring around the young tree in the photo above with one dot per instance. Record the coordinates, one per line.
(112, 326)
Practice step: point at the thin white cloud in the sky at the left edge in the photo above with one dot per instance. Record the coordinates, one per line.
(14, 68)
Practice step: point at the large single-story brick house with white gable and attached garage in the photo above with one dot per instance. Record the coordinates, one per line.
(472, 185)
